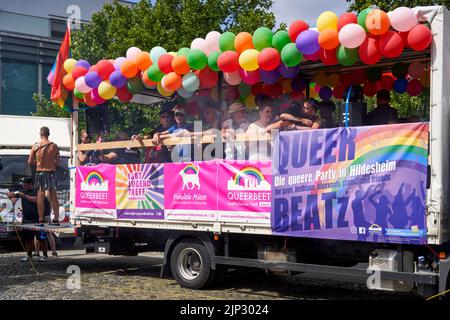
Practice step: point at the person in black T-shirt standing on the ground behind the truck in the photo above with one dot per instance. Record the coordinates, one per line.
(29, 199)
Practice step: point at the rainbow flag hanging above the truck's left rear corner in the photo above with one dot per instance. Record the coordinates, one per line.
(57, 72)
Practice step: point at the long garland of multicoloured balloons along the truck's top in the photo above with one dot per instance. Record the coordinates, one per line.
(265, 62)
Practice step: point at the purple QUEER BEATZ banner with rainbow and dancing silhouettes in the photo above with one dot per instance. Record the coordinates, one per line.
(361, 183)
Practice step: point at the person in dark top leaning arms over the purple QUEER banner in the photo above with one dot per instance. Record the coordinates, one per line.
(298, 117)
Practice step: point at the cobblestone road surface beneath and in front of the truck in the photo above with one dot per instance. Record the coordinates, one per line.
(109, 277)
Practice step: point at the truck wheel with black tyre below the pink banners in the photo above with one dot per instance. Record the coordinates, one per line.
(190, 264)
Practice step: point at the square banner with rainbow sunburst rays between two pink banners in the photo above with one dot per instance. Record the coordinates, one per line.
(140, 191)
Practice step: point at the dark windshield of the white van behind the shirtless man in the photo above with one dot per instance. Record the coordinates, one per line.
(15, 167)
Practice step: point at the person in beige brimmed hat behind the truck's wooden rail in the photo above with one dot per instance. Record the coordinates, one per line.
(238, 123)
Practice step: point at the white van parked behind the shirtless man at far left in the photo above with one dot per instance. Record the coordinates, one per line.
(17, 135)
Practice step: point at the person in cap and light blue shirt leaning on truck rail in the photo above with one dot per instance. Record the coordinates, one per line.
(180, 128)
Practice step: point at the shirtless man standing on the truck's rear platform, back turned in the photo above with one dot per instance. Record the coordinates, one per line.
(45, 155)
